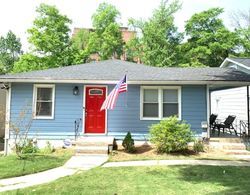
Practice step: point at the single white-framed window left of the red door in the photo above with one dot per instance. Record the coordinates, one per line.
(43, 101)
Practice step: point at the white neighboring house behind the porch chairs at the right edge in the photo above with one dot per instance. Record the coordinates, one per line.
(233, 101)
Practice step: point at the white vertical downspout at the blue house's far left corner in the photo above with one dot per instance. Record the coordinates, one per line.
(7, 119)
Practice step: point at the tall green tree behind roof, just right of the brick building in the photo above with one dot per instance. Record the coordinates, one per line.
(158, 44)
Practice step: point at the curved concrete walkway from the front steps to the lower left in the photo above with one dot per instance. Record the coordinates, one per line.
(73, 165)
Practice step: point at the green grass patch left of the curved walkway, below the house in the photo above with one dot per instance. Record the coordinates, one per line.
(11, 166)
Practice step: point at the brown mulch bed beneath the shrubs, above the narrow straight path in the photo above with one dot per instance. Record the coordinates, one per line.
(147, 152)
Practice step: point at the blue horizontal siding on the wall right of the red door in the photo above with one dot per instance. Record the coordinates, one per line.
(126, 116)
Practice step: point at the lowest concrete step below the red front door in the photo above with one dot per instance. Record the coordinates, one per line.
(91, 149)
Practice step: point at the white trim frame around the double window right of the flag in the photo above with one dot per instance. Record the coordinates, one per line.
(160, 101)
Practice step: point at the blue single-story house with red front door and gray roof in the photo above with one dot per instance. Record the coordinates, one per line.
(55, 98)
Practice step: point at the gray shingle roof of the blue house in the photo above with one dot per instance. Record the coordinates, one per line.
(111, 70)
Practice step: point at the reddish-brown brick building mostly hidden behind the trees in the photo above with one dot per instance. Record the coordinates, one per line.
(127, 35)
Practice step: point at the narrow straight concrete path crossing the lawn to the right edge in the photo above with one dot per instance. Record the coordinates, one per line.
(176, 162)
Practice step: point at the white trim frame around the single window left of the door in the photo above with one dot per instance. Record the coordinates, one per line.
(35, 86)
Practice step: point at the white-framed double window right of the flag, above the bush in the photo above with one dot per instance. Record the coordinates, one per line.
(160, 102)
